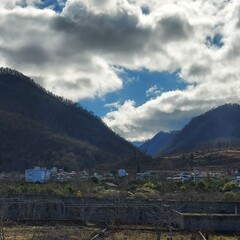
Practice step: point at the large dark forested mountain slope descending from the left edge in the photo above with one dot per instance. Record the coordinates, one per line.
(39, 128)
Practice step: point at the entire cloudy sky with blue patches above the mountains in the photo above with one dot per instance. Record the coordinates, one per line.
(142, 66)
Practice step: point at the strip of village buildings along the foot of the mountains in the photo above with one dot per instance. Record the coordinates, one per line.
(42, 174)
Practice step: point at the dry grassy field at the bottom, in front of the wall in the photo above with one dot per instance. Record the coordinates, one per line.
(59, 232)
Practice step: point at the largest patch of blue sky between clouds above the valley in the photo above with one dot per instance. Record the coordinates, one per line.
(135, 87)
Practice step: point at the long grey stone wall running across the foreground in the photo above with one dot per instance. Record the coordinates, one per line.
(190, 216)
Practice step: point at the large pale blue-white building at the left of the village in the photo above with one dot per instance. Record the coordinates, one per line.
(37, 174)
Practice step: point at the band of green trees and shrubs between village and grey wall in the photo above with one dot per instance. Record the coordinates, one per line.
(207, 189)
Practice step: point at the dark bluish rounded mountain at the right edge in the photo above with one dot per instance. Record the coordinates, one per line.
(217, 128)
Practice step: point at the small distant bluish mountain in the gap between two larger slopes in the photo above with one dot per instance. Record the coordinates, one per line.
(155, 146)
